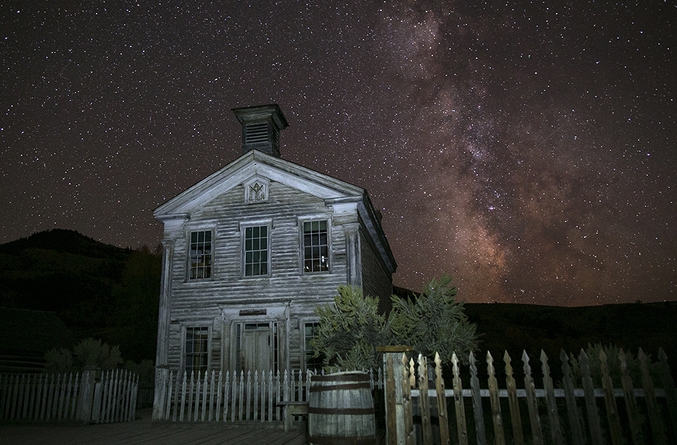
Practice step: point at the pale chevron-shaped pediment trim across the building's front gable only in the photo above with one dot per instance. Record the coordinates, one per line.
(246, 170)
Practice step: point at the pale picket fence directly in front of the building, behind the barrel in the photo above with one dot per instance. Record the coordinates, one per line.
(217, 396)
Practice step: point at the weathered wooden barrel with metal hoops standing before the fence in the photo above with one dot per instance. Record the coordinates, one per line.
(341, 410)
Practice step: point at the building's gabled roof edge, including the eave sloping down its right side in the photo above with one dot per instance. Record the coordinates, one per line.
(254, 162)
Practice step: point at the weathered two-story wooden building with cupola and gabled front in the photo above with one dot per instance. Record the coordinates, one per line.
(251, 250)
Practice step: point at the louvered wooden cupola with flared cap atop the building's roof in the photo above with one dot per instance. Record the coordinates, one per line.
(261, 127)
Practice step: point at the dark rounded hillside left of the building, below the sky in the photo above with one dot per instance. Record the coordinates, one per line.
(98, 290)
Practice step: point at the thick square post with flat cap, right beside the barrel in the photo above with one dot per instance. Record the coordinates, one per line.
(392, 363)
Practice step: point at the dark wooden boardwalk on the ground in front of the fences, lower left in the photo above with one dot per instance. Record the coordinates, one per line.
(142, 431)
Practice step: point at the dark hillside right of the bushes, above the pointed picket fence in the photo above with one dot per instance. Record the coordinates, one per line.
(518, 327)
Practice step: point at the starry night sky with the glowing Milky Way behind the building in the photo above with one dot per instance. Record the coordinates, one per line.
(526, 149)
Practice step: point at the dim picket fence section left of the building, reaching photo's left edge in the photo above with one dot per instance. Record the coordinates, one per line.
(69, 397)
